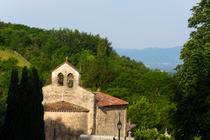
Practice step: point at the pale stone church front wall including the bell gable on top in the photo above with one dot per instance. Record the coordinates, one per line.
(76, 95)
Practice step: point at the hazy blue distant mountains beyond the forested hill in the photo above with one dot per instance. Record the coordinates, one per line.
(157, 58)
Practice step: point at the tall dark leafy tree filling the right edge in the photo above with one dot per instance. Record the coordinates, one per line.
(192, 117)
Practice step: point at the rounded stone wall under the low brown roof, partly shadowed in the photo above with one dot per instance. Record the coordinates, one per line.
(65, 125)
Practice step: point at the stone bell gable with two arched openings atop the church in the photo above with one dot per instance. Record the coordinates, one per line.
(65, 75)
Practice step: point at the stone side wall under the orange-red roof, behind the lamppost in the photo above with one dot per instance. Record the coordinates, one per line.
(107, 118)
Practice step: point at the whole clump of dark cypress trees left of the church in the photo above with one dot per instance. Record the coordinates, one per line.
(24, 118)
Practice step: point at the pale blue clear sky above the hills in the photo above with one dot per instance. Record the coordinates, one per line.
(131, 24)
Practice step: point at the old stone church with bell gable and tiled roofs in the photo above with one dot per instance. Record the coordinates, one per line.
(71, 110)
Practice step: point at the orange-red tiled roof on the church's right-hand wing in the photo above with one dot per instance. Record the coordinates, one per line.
(105, 100)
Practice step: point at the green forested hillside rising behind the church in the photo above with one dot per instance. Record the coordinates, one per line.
(149, 92)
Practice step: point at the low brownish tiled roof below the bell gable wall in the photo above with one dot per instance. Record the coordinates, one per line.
(63, 106)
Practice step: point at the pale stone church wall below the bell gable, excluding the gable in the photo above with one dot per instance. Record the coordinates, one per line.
(77, 96)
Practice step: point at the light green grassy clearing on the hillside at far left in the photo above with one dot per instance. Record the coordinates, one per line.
(6, 54)
